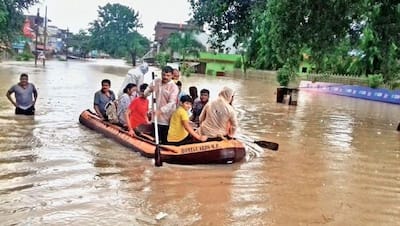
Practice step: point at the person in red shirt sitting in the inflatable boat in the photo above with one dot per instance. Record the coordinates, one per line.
(136, 114)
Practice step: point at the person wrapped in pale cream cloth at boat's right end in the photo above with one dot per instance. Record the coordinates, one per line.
(218, 118)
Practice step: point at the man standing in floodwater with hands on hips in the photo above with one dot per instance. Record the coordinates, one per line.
(25, 96)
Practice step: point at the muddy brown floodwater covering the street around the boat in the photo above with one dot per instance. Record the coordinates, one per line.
(338, 162)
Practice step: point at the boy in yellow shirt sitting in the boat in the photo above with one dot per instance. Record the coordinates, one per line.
(180, 131)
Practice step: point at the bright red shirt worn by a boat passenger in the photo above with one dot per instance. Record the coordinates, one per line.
(139, 108)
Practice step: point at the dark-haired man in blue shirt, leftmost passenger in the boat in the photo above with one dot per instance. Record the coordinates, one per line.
(102, 97)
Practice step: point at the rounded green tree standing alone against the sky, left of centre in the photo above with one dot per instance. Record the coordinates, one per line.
(115, 33)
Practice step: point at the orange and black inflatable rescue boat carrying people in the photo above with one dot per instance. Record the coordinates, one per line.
(224, 151)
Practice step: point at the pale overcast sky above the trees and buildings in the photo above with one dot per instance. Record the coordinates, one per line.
(77, 14)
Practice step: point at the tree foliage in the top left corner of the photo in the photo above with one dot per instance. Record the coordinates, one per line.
(11, 18)
